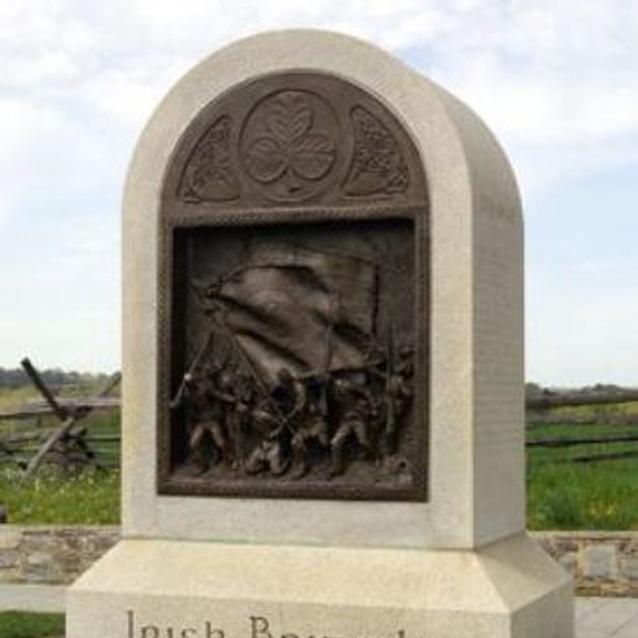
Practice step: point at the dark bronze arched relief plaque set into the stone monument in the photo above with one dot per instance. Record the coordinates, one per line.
(293, 310)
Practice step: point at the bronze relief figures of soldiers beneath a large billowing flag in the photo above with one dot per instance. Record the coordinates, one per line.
(291, 377)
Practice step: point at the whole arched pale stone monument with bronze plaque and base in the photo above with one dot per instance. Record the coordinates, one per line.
(323, 363)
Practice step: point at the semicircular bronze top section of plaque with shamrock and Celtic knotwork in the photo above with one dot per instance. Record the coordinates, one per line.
(295, 138)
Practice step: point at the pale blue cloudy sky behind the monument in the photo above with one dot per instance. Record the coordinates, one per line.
(556, 81)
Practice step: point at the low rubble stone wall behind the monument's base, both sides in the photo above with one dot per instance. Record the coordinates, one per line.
(603, 563)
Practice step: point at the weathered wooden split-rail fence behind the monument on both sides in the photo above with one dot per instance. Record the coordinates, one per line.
(70, 442)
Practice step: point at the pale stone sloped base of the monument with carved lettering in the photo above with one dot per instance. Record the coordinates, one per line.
(169, 589)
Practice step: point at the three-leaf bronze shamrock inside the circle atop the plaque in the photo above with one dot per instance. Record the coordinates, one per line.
(288, 143)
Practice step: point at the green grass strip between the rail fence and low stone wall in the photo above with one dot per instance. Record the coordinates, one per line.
(602, 496)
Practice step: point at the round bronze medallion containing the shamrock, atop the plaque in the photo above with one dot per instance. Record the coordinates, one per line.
(289, 144)
